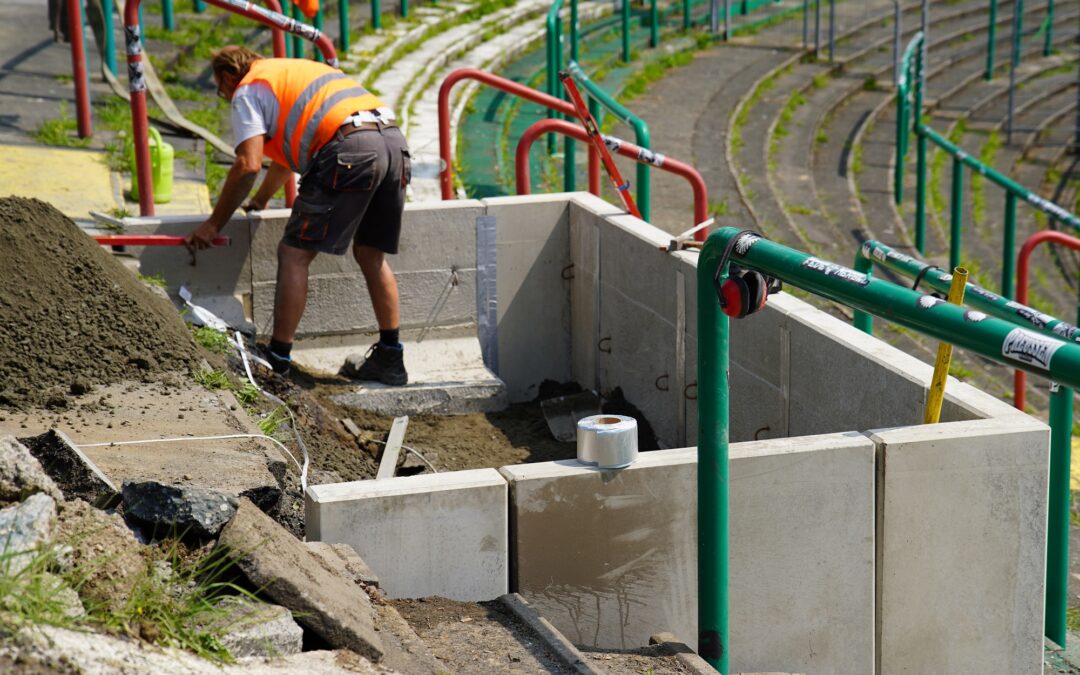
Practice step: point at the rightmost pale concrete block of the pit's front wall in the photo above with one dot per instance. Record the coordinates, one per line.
(962, 547)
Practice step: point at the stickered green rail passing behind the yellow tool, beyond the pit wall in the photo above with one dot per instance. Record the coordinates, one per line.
(976, 296)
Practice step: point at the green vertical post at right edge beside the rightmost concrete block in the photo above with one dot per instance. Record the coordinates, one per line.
(1058, 518)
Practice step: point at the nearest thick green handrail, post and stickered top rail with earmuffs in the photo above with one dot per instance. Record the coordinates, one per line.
(997, 340)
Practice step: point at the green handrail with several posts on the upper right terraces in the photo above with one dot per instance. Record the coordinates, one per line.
(909, 121)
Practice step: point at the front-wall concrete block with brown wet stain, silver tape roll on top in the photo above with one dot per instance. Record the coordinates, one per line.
(610, 558)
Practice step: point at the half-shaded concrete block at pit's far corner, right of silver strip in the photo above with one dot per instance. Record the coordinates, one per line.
(533, 253)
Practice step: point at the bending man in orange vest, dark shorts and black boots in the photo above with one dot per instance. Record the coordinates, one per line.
(355, 166)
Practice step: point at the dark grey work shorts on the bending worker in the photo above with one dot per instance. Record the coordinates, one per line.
(353, 194)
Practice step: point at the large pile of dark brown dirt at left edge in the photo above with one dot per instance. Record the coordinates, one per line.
(72, 317)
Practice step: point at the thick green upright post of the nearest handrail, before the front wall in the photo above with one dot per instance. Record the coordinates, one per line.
(713, 482)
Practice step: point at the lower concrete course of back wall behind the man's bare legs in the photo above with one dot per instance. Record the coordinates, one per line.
(340, 304)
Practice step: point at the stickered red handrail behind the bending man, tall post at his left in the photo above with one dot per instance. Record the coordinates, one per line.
(137, 85)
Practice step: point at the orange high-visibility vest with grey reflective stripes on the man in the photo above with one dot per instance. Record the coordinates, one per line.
(314, 101)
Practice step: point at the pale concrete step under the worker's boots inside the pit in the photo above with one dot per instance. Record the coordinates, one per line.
(448, 375)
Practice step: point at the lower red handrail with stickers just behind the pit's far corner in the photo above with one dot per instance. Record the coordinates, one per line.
(627, 150)
